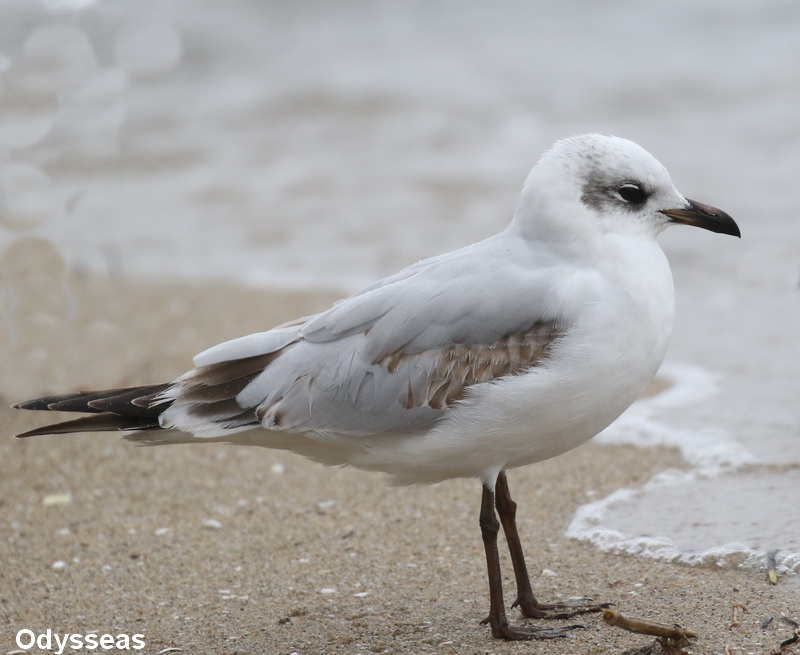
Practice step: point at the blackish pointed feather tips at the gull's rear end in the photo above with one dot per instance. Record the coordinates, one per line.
(132, 408)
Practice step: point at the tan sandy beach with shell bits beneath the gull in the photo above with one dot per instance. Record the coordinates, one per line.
(213, 549)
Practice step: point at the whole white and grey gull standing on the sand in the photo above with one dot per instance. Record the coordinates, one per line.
(497, 355)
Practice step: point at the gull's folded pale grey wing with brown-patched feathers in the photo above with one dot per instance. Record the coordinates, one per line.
(388, 360)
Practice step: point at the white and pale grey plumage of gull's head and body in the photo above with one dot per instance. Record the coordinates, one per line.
(576, 257)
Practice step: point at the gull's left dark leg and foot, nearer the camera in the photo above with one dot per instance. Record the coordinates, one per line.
(497, 619)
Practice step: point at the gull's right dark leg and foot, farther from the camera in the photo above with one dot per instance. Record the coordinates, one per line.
(529, 606)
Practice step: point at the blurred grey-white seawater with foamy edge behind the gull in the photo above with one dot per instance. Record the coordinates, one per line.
(319, 144)
